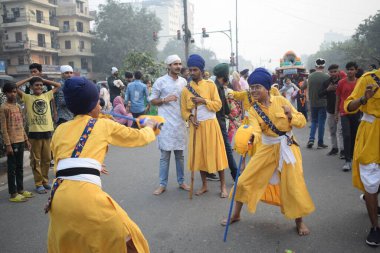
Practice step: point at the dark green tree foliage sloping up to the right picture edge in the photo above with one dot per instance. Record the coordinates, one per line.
(363, 47)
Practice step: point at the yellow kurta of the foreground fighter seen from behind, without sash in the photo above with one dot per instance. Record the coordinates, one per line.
(83, 218)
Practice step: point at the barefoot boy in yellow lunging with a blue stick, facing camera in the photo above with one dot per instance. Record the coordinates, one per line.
(277, 163)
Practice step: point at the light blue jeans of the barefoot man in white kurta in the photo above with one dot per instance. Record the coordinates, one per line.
(164, 166)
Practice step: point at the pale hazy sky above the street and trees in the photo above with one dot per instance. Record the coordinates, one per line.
(269, 28)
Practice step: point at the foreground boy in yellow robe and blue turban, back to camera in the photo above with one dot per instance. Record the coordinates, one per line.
(83, 218)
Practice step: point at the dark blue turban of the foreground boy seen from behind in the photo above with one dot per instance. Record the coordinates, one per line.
(81, 95)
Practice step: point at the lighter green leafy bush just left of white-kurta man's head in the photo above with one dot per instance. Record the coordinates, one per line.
(145, 63)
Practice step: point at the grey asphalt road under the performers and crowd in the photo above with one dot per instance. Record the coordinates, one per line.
(173, 223)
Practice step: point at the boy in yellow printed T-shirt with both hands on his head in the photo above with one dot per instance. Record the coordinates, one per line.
(40, 123)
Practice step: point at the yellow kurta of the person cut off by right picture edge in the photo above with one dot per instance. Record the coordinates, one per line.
(367, 142)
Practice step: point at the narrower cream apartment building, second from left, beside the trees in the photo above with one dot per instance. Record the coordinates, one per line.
(75, 37)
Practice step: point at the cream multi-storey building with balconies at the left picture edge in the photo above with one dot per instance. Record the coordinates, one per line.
(29, 30)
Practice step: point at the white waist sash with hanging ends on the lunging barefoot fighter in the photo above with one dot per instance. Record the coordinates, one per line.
(286, 153)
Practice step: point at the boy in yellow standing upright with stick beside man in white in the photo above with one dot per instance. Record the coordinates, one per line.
(210, 154)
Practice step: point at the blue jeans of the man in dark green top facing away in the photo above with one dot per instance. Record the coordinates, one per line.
(318, 120)
